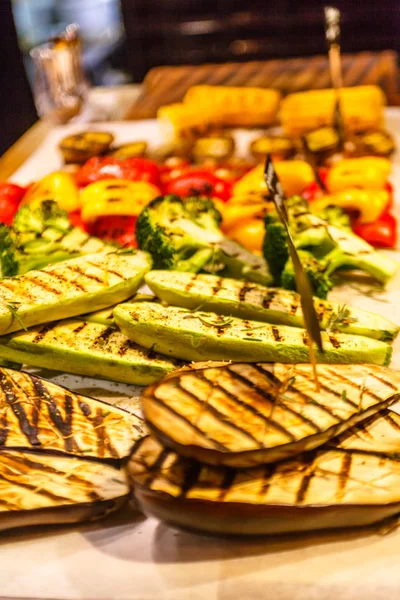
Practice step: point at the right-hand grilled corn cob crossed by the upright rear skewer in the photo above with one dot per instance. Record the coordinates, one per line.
(361, 107)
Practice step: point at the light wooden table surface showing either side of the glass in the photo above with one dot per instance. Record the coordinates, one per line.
(114, 102)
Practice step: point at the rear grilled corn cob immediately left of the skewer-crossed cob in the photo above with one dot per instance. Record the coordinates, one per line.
(235, 106)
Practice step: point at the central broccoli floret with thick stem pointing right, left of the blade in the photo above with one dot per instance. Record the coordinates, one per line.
(187, 237)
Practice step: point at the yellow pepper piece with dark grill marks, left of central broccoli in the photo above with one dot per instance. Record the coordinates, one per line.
(111, 197)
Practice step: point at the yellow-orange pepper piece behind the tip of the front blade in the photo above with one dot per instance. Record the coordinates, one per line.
(294, 176)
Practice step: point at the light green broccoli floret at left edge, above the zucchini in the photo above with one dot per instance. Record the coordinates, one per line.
(41, 237)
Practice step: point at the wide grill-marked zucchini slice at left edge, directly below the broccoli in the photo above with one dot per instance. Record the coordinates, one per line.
(70, 288)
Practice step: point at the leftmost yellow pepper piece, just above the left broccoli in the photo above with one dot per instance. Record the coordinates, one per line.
(57, 186)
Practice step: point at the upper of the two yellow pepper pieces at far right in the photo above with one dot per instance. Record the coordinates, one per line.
(368, 172)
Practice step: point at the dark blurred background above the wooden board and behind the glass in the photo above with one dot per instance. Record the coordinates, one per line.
(124, 39)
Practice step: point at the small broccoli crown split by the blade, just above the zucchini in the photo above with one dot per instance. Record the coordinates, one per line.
(320, 281)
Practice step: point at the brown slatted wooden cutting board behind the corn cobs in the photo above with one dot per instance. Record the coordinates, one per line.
(164, 85)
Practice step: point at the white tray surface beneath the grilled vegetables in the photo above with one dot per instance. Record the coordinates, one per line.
(131, 557)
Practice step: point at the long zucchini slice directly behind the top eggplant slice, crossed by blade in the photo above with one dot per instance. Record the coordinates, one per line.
(199, 335)
